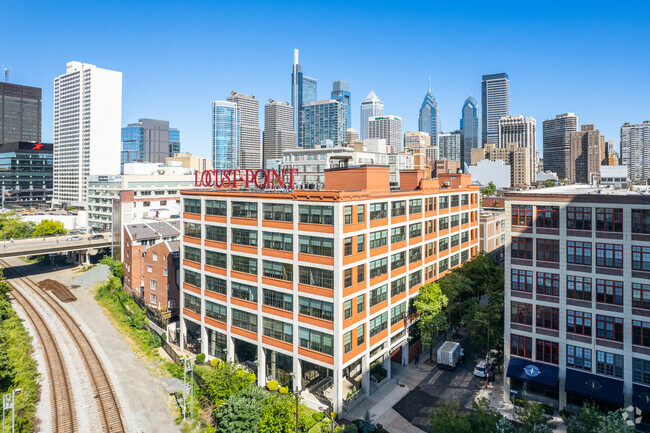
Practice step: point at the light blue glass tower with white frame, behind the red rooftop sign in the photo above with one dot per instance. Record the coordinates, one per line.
(226, 135)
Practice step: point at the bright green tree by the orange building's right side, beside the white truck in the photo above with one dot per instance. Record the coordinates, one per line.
(429, 304)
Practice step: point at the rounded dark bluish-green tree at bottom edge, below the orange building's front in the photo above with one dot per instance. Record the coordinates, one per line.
(241, 412)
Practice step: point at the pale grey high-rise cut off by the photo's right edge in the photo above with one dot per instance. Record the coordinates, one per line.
(635, 149)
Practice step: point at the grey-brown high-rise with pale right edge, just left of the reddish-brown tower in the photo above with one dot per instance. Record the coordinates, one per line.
(557, 143)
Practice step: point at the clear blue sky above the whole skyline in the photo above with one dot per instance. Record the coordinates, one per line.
(590, 58)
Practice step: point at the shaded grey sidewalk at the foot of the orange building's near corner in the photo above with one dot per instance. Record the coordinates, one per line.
(380, 403)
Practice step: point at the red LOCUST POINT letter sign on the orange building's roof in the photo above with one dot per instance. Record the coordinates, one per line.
(261, 179)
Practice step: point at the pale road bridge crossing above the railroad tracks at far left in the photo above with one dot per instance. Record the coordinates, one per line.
(51, 245)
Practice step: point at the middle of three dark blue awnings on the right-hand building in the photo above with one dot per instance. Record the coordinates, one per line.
(605, 389)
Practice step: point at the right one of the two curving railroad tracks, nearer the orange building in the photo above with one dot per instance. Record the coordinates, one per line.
(109, 410)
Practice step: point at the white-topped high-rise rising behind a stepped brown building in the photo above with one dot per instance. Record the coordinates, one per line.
(519, 130)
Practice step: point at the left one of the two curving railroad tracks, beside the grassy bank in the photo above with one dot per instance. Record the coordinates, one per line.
(63, 412)
